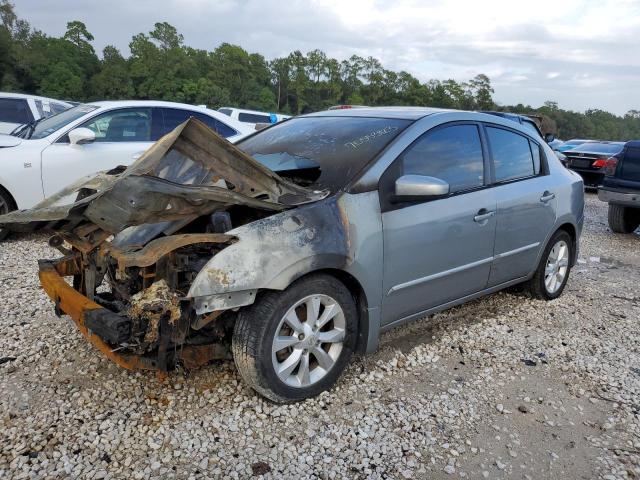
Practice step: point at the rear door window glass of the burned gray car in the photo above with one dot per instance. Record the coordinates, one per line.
(511, 155)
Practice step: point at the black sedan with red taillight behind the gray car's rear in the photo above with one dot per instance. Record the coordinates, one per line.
(590, 158)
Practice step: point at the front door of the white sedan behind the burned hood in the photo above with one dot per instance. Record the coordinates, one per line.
(122, 136)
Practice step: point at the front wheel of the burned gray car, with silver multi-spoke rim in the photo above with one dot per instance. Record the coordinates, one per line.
(295, 344)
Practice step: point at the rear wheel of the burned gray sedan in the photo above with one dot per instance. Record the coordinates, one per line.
(552, 273)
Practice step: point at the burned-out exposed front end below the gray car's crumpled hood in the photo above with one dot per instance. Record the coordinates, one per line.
(145, 311)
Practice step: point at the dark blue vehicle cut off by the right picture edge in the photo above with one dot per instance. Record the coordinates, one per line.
(621, 188)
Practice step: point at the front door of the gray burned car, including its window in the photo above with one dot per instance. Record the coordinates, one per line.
(440, 250)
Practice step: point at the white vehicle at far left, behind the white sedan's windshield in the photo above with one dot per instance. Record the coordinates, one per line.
(17, 109)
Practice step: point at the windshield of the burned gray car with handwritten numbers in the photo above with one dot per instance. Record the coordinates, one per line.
(326, 152)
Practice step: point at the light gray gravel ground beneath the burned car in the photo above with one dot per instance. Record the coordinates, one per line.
(503, 387)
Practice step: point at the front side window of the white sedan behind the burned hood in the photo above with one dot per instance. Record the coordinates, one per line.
(126, 125)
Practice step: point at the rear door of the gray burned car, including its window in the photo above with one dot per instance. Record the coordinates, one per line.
(526, 203)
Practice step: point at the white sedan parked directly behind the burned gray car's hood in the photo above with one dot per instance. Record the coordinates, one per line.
(40, 158)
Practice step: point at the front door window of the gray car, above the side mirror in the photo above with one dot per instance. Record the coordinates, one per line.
(453, 154)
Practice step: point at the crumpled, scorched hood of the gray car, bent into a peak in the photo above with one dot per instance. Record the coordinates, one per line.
(188, 173)
